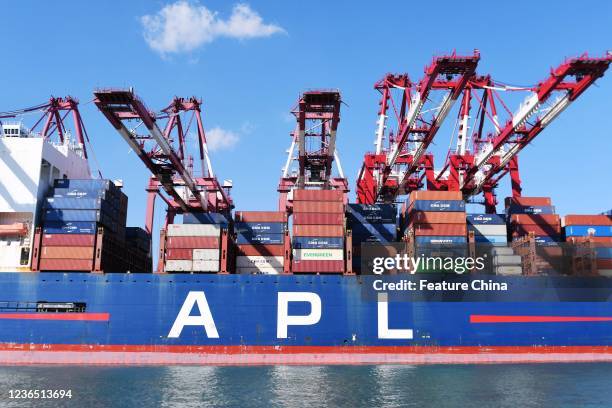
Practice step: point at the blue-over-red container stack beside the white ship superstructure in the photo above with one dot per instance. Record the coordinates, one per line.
(83, 229)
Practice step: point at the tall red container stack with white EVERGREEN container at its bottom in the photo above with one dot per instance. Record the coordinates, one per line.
(318, 231)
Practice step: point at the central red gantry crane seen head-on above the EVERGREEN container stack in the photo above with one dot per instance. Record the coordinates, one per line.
(317, 115)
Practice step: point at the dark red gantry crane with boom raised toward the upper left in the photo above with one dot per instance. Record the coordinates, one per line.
(164, 153)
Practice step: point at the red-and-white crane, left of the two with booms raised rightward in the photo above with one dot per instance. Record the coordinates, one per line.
(385, 174)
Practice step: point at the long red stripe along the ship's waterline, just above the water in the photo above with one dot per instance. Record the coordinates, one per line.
(88, 354)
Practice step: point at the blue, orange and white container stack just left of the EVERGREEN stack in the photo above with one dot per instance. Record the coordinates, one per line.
(261, 242)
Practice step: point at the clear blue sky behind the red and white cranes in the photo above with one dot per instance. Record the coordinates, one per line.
(250, 76)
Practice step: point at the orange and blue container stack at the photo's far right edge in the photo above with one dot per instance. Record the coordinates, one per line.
(596, 229)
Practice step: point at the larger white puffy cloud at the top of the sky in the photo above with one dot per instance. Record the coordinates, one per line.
(184, 26)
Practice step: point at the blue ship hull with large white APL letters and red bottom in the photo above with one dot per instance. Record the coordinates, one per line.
(129, 319)
